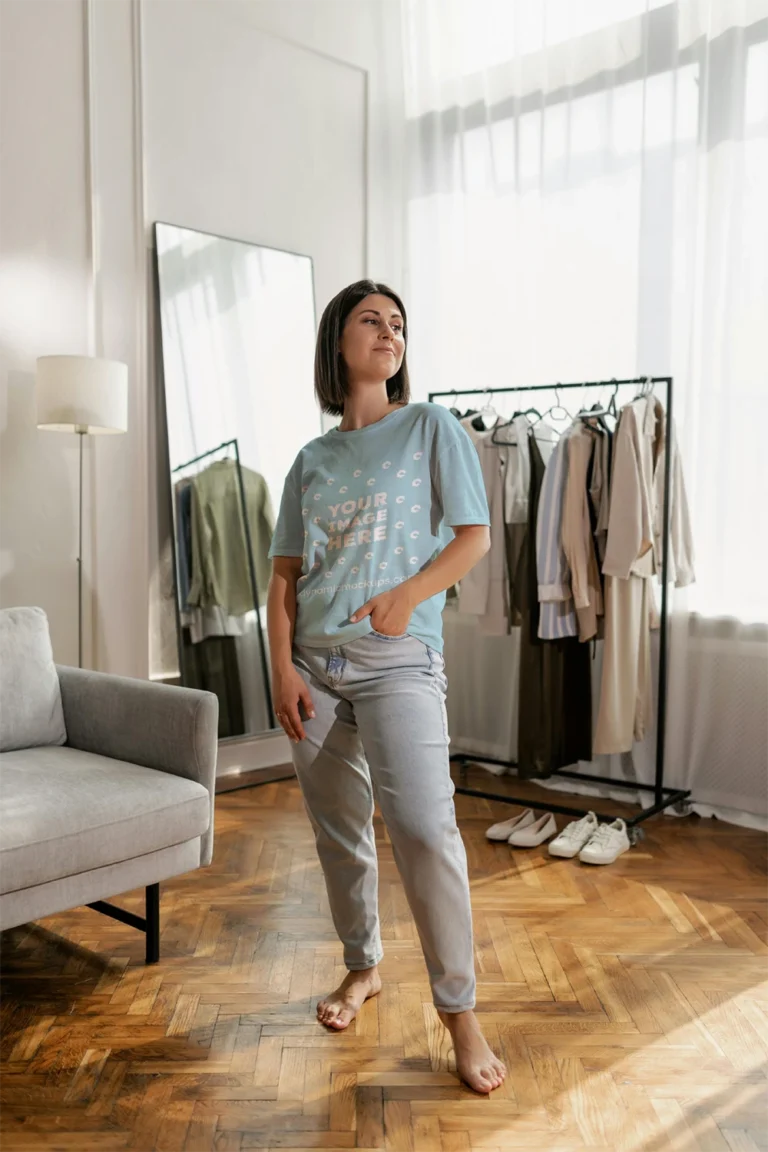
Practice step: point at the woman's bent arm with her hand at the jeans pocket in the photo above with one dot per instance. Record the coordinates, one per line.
(391, 612)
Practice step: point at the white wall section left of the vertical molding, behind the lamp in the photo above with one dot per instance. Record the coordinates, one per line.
(44, 293)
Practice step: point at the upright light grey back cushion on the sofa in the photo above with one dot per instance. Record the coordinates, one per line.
(31, 699)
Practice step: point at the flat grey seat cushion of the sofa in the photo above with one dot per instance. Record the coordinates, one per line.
(64, 812)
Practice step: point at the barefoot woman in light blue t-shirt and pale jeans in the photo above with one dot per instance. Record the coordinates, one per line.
(363, 554)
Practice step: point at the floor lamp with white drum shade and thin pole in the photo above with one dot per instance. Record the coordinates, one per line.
(87, 397)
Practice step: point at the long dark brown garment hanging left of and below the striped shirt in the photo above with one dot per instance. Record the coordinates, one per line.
(556, 687)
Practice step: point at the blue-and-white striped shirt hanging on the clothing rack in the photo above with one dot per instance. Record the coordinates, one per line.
(558, 613)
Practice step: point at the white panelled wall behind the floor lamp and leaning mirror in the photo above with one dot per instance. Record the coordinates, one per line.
(272, 120)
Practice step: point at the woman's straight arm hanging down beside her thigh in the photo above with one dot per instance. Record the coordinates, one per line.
(288, 688)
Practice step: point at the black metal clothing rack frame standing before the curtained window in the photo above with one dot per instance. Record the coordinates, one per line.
(664, 795)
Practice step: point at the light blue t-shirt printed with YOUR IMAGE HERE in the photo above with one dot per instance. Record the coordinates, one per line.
(368, 510)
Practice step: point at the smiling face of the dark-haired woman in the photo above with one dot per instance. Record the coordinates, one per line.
(372, 343)
